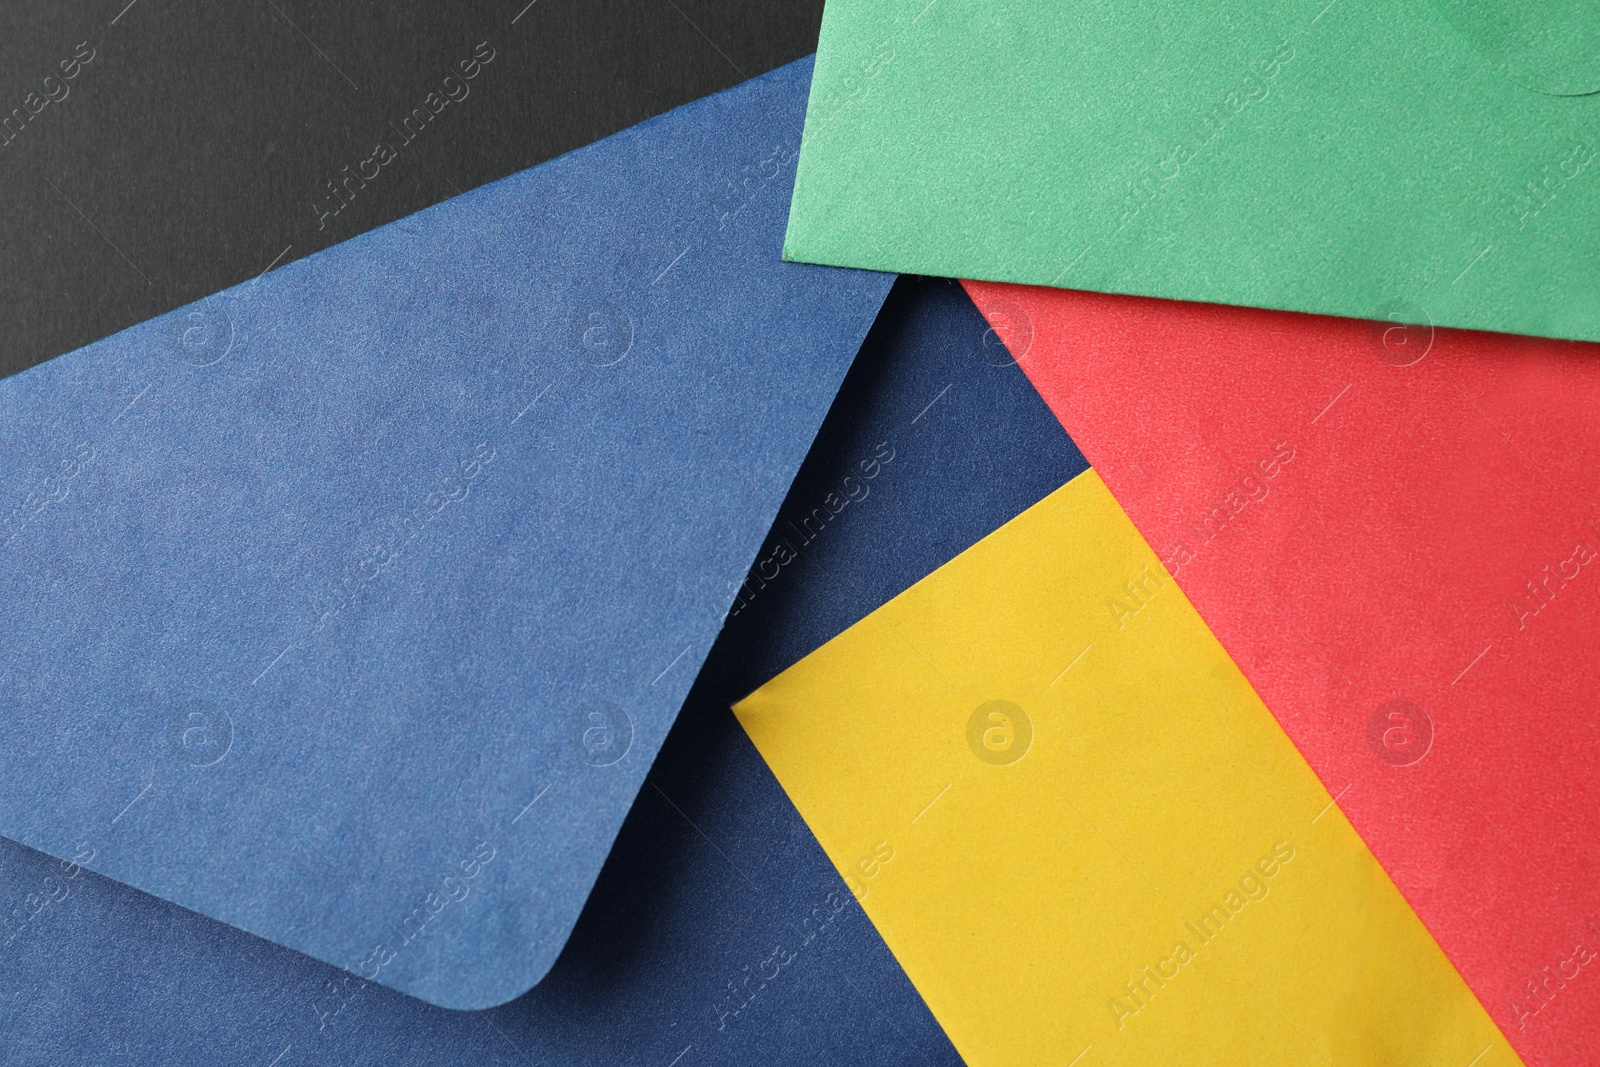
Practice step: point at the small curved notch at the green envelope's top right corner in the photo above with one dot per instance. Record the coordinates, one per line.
(1546, 46)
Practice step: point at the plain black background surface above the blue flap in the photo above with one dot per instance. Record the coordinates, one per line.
(191, 150)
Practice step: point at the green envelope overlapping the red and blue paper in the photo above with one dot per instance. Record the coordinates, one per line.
(1420, 161)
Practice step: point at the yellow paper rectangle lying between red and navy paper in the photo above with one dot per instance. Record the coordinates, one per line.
(1084, 836)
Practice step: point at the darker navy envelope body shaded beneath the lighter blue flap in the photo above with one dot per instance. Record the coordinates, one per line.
(718, 932)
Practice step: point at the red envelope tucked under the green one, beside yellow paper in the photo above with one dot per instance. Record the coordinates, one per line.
(1396, 533)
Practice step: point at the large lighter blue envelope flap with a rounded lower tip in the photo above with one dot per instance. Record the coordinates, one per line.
(351, 605)
